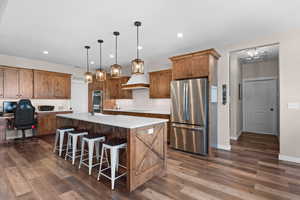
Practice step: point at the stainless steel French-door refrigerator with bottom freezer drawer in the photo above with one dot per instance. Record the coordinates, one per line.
(189, 115)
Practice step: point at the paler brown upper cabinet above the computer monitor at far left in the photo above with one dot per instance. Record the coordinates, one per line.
(17, 83)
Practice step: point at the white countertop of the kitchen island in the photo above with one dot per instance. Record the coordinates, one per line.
(123, 121)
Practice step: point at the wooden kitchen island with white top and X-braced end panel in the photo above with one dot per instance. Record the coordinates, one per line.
(146, 141)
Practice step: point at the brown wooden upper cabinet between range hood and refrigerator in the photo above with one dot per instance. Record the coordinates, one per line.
(160, 83)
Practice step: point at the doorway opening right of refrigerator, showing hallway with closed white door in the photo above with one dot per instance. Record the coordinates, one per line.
(254, 92)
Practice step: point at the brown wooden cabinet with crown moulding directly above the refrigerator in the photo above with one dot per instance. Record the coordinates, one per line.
(193, 65)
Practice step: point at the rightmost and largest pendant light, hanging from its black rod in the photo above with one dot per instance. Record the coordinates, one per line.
(137, 65)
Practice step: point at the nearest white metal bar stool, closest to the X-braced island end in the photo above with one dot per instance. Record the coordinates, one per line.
(114, 145)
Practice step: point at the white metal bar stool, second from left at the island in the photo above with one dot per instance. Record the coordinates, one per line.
(73, 138)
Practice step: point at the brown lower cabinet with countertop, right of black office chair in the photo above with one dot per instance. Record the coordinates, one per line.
(46, 122)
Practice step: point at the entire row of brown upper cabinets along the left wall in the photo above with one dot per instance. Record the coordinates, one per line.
(17, 83)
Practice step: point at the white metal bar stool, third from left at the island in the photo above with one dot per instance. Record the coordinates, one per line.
(91, 140)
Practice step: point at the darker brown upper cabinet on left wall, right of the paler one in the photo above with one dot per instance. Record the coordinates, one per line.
(51, 85)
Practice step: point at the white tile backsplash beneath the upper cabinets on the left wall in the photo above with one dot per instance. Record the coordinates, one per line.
(60, 104)
